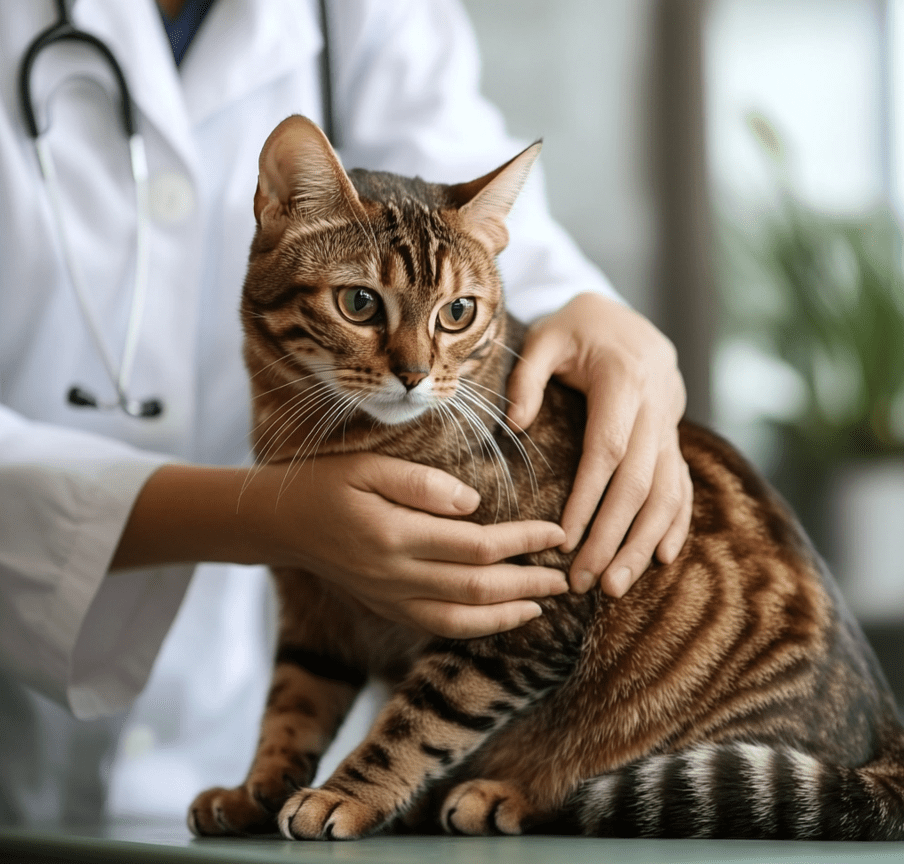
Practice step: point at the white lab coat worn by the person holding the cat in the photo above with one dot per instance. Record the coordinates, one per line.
(72, 640)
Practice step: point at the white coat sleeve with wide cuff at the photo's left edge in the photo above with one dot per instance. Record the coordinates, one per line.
(82, 637)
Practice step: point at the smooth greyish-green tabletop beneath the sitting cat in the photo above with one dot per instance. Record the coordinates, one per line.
(157, 842)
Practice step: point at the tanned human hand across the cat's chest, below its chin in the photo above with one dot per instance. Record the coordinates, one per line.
(375, 526)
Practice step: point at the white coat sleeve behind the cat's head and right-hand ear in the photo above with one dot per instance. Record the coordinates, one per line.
(408, 100)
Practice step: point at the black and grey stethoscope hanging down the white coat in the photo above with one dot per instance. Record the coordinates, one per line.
(63, 30)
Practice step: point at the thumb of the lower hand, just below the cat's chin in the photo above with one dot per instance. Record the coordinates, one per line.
(418, 486)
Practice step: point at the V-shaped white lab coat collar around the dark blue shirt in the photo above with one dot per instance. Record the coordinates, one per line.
(241, 46)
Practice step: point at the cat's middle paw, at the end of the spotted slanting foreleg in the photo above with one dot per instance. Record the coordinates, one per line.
(324, 814)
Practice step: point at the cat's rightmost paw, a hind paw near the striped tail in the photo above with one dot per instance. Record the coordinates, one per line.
(484, 807)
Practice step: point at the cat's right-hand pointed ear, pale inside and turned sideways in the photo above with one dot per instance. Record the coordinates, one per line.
(484, 203)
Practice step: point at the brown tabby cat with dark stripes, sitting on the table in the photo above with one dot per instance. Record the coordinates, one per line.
(728, 695)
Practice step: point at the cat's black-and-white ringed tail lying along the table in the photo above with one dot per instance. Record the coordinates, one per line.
(745, 791)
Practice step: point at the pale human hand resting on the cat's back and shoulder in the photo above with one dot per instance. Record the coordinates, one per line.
(635, 397)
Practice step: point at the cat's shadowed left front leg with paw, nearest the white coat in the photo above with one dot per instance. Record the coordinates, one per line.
(309, 697)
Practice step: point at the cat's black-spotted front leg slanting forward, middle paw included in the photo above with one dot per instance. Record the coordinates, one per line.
(457, 695)
